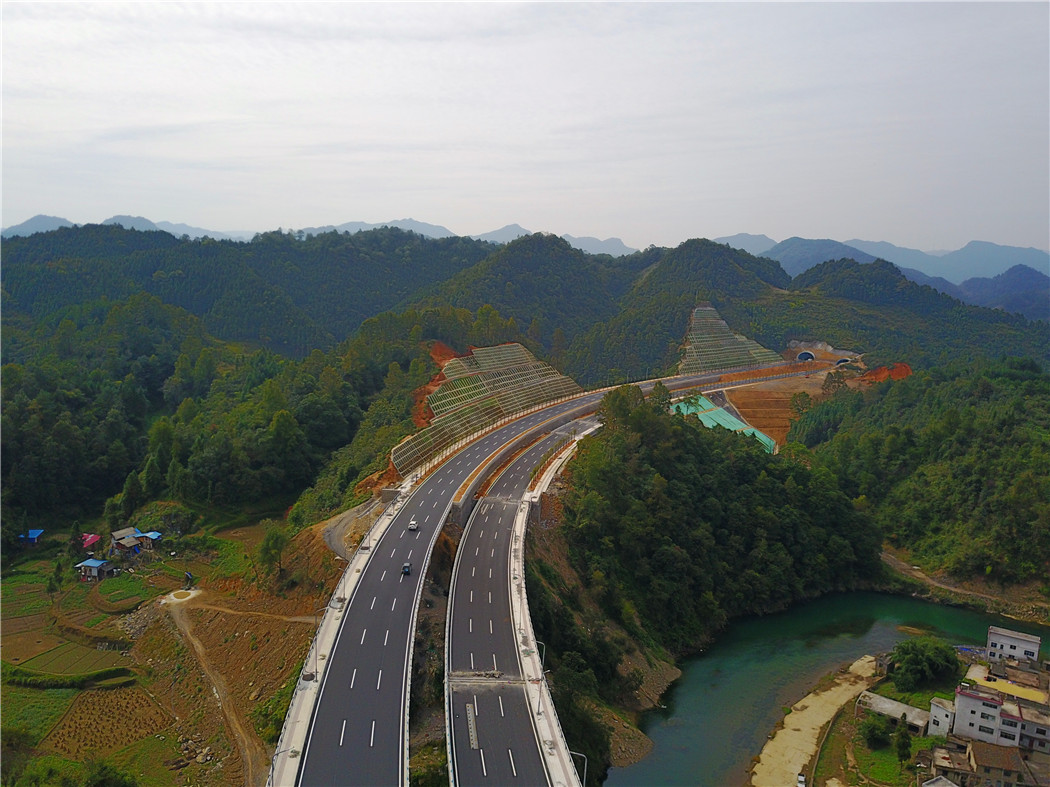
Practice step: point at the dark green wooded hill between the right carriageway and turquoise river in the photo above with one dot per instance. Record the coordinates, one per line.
(688, 527)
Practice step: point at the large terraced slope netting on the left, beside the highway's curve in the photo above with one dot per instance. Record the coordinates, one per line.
(481, 389)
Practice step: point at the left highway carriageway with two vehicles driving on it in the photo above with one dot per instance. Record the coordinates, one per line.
(359, 730)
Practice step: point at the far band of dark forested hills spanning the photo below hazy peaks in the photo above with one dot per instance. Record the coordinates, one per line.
(597, 317)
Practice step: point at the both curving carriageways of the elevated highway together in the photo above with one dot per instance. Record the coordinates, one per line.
(352, 728)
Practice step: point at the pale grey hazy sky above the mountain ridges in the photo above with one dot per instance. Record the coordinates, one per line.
(927, 124)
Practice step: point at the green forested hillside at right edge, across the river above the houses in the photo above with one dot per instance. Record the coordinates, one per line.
(954, 463)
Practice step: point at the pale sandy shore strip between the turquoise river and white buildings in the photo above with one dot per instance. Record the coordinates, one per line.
(792, 748)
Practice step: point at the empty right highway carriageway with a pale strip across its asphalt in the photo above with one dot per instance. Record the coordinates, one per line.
(493, 738)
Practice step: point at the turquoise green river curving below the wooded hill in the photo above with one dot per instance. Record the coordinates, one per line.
(728, 700)
